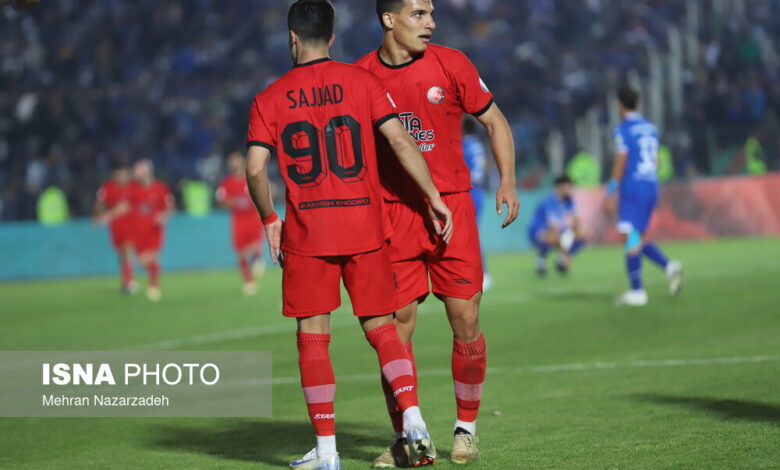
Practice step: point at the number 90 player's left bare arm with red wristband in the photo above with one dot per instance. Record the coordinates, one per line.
(260, 191)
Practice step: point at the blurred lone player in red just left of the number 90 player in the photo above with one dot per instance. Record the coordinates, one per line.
(246, 227)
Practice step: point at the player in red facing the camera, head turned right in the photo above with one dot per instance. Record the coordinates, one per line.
(432, 87)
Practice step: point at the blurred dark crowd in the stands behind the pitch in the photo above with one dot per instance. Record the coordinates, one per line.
(85, 84)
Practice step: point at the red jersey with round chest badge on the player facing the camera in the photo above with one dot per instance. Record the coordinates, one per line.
(431, 92)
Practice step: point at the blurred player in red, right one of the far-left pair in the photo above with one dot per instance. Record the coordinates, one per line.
(152, 204)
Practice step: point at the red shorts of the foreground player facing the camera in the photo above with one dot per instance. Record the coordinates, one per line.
(455, 269)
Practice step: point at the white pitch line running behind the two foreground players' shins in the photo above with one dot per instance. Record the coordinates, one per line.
(710, 361)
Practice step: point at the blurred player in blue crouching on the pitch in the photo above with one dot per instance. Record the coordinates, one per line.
(555, 225)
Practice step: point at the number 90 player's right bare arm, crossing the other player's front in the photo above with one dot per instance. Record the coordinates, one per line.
(414, 163)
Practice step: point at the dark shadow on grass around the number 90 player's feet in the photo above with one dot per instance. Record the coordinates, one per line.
(270, 442)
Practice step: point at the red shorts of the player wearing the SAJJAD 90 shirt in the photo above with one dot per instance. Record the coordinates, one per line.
(311, 285)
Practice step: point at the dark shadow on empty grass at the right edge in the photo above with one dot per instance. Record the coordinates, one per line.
(724, 409)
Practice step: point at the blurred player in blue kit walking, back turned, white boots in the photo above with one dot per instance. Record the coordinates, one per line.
(635, 185)
